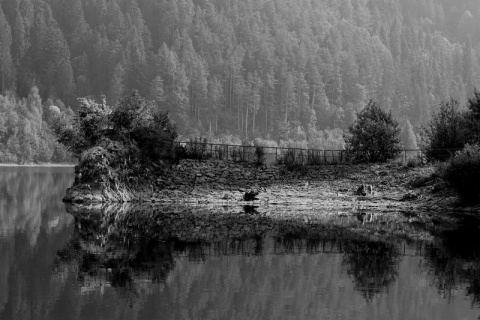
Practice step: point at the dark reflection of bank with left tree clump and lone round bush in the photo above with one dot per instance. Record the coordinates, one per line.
(125, 247)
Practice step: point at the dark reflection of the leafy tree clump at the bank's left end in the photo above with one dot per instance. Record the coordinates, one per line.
(120, 259)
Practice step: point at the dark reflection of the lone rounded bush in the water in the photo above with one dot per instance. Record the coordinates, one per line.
(372, 265)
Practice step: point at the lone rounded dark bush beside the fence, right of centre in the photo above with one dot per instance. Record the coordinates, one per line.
(374, 137)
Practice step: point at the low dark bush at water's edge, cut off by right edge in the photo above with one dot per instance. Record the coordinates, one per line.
(462, 173)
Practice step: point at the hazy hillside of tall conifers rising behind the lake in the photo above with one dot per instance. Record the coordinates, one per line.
(286, 70)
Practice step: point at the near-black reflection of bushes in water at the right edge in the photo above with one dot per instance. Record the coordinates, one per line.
(455, 260)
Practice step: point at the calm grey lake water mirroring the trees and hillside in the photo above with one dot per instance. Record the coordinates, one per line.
(55, 266)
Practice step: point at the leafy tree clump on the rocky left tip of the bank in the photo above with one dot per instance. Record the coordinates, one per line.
(112, 144)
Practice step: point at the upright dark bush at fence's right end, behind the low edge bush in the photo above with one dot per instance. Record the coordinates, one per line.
(445, 133)
